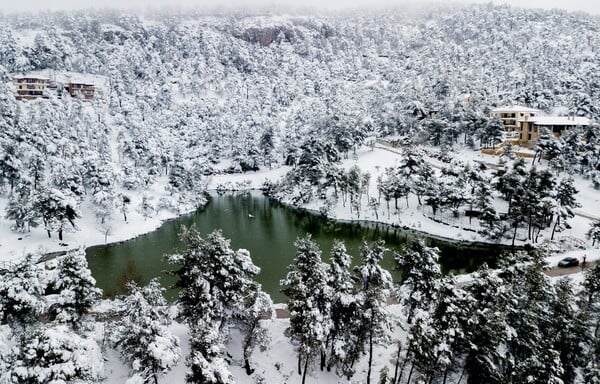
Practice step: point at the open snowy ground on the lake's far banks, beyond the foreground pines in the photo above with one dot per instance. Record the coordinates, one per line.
(90, 232)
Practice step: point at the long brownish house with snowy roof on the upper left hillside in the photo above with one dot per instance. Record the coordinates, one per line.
(32, 86)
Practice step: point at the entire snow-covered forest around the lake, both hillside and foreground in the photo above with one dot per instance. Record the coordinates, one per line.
(186, 98)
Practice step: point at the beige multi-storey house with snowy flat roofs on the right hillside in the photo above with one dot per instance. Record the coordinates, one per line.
(524, 125)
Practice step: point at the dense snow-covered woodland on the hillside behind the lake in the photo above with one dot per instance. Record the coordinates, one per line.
(188, 95)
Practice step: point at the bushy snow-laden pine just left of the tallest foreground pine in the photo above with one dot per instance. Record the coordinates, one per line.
(141, 333)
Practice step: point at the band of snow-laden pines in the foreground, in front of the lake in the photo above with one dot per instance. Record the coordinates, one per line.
(511, 325)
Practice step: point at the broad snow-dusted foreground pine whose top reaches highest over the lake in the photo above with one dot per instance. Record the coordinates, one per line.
(217, 286)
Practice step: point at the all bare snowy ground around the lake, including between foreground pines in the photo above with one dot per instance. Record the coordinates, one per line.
(277, 363)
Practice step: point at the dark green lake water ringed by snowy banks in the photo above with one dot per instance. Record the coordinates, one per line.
(268, 230)
